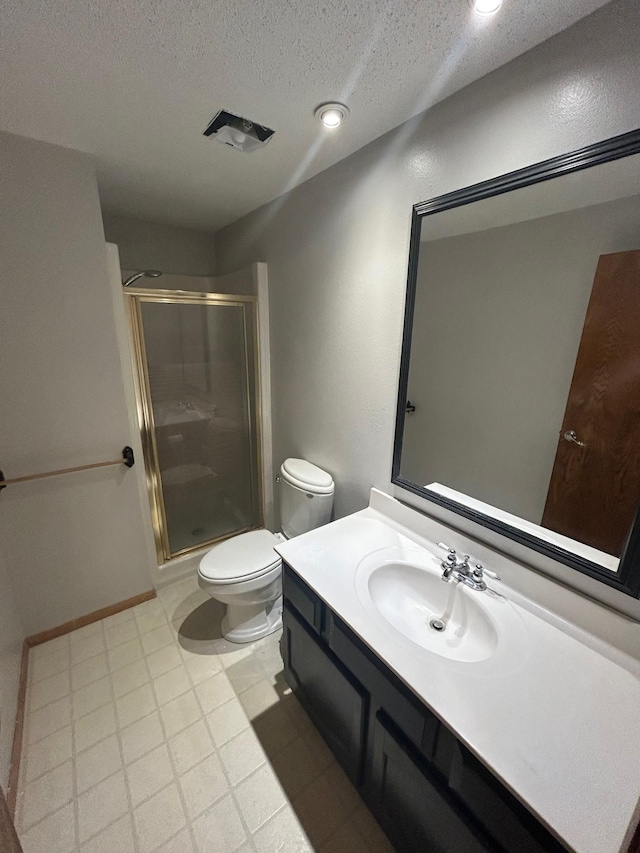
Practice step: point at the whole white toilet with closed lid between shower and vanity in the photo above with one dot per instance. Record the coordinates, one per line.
(245, 573)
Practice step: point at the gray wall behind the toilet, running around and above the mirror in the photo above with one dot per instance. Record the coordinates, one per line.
(337, 245)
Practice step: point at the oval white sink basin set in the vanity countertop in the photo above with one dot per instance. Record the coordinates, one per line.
(403, 591)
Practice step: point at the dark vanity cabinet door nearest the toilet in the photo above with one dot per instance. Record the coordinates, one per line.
(329, 694)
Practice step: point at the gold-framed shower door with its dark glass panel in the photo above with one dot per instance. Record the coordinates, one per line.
(198, 395)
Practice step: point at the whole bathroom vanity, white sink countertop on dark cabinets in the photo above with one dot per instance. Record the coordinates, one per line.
(510, 730)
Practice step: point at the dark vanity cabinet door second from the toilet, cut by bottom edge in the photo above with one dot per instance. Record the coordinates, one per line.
(411, 803)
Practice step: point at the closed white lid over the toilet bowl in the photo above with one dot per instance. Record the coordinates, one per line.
(241, 558)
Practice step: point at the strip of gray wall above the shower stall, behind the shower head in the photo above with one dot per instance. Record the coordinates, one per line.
(149, 245)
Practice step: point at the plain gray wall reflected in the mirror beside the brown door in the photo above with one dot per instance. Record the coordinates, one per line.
(498, 320)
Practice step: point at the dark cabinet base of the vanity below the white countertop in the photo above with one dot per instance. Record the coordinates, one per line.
(427, 790)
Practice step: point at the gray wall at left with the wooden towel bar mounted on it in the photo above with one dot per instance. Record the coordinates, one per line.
(71, 544)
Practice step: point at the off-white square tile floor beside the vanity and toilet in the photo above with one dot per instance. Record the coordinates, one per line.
(149, 732)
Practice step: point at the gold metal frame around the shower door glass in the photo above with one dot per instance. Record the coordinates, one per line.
(136, 297)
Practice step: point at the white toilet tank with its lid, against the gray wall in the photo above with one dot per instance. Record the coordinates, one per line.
(306, 497)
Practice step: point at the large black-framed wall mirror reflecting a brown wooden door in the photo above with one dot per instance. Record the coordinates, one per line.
(519, 394)
